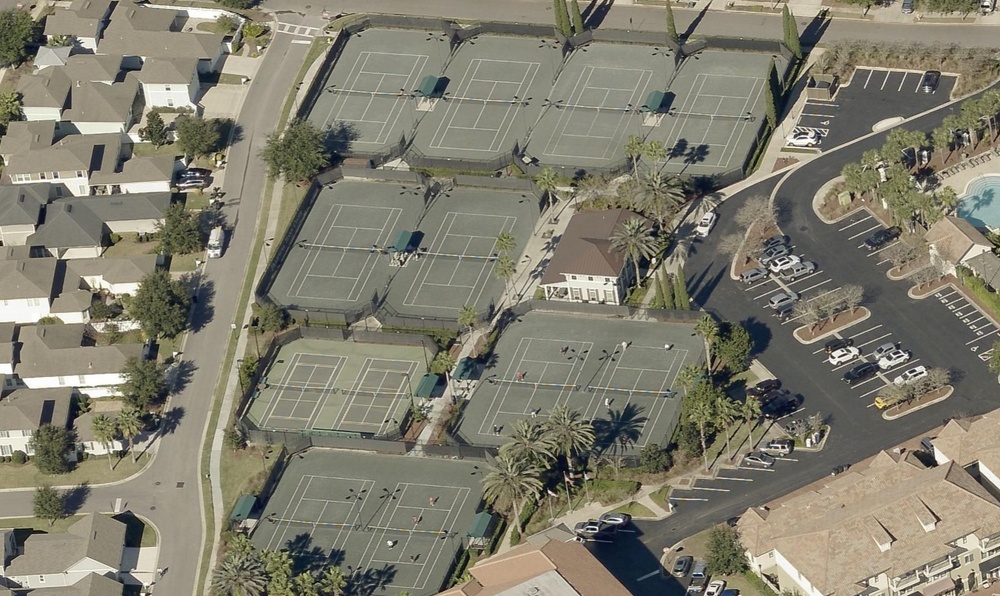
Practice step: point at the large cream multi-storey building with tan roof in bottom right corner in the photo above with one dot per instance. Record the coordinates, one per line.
(892, 527)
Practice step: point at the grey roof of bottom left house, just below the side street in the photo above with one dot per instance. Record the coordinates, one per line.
(96, 536)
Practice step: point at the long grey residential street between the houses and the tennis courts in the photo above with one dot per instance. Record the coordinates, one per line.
(168, 492)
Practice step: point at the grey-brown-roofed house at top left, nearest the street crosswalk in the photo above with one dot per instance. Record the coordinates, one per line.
(140, 33)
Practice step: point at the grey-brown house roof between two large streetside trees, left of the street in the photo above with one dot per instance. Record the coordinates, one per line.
(56, 350)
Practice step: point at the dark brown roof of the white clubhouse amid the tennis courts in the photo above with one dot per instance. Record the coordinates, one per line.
(585, 248)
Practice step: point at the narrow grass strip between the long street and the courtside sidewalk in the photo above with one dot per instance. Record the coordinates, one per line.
(315, 51)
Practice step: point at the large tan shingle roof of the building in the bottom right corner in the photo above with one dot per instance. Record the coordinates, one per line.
(832, 535)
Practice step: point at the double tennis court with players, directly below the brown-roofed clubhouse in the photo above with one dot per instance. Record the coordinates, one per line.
(607, 370)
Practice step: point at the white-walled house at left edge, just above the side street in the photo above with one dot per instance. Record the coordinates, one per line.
(22, 411)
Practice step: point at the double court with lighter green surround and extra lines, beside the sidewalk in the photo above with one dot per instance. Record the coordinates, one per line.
(321, 385)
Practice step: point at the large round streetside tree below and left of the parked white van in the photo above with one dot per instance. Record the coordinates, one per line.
(160, 305)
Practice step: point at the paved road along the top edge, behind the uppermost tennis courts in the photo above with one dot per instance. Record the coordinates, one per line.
(619, 16)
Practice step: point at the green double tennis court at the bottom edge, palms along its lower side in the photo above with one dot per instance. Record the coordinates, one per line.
(391, 524)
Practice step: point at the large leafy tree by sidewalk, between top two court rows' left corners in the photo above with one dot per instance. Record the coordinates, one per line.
(299, 153)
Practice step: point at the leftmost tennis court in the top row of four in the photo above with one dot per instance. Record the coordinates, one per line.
(370, 86)
